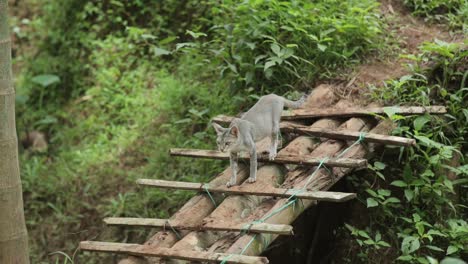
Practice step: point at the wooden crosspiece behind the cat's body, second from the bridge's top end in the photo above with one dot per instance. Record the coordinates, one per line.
(333, 134)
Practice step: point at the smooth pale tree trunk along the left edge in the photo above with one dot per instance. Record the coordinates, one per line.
(13, 234)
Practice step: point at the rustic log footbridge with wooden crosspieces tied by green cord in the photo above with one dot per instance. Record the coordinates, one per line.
(322, 156)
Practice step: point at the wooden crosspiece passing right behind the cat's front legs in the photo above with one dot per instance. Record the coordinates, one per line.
(281, 158)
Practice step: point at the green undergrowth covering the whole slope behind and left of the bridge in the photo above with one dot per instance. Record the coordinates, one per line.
(114, 84)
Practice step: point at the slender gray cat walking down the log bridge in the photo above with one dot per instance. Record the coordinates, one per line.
(261, 121)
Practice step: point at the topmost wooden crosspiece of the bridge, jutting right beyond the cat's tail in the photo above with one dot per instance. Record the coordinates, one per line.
(400, 110)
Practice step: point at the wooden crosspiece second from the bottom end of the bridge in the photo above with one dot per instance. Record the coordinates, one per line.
(164, 223)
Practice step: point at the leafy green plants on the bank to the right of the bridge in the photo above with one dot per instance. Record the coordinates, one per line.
(419, 207)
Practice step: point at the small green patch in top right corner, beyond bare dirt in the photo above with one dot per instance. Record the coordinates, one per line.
(452, 12)
